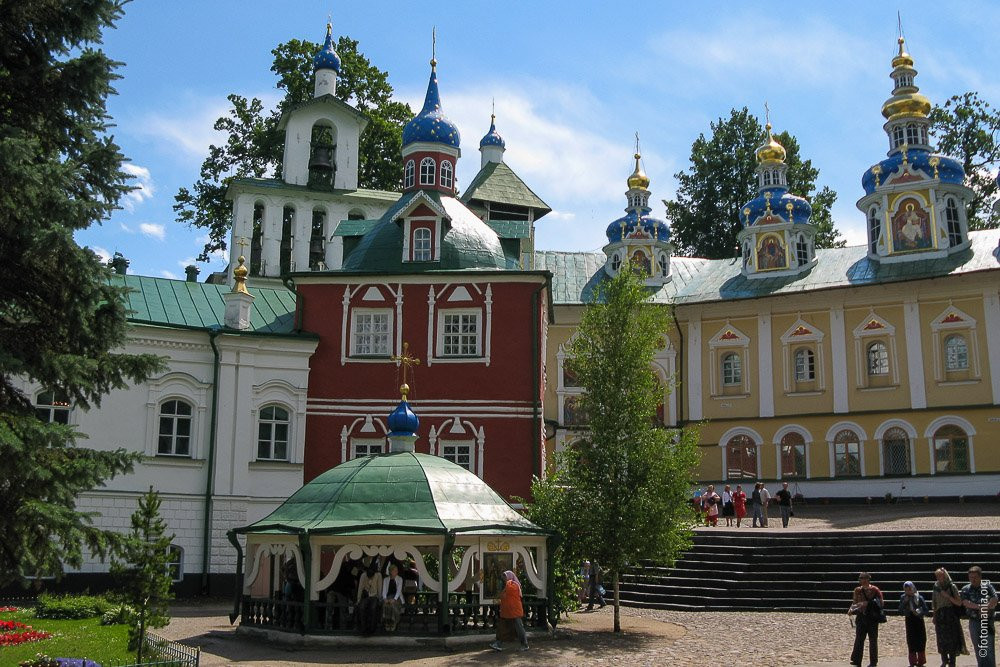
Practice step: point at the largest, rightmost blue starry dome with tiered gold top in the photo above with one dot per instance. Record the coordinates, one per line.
(907, 114)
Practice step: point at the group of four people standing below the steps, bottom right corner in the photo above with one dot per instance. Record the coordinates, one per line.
(977, 601)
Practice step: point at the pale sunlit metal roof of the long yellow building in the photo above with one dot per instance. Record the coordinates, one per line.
(576, 274)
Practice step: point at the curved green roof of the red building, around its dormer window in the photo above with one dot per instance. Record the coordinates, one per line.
(467, 243)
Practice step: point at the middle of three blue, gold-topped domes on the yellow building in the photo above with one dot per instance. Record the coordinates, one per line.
(773, 203)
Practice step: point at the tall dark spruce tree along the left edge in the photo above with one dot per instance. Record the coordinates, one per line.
(64, 320)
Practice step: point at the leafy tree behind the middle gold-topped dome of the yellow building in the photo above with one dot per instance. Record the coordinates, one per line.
(704, 217)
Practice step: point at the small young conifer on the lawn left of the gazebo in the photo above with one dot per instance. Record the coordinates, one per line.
(143, 574)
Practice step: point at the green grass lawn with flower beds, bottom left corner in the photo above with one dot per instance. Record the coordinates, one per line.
(85, 638)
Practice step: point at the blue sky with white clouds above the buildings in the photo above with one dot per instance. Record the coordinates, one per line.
(573, 82)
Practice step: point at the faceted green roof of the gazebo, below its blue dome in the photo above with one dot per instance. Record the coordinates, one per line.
(401, 493)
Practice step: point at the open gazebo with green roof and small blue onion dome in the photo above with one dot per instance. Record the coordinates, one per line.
(459, 534)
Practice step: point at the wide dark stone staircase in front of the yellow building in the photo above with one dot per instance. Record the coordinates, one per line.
(805, 571)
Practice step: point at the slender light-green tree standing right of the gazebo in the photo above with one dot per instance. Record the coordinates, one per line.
(620, 494)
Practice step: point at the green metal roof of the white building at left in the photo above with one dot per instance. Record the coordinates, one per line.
(168, 302)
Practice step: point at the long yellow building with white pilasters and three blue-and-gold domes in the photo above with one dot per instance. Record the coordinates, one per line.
(849, 372)
